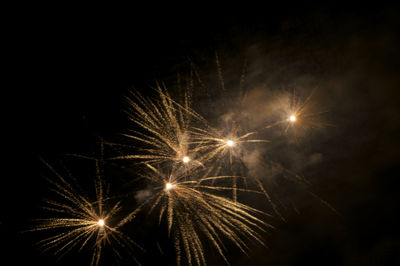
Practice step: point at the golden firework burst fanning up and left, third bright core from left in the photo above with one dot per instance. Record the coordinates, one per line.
(165, 129)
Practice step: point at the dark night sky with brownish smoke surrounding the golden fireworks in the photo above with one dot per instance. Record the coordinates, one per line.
(67, 73)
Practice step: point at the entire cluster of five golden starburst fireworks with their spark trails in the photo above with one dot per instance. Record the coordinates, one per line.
(194, 173)
